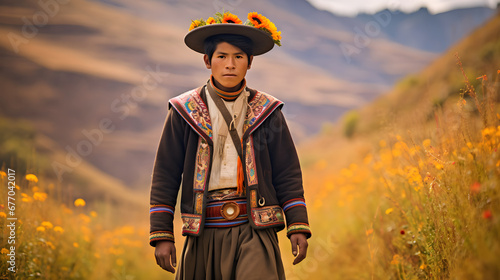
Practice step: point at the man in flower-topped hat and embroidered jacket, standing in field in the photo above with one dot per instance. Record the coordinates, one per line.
(230, 148)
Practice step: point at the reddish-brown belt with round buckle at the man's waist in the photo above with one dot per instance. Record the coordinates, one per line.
(226, 213)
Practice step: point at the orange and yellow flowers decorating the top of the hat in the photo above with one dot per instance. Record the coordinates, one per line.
(253, 19)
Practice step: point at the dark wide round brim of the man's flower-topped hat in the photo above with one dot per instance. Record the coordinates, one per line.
(262, 41)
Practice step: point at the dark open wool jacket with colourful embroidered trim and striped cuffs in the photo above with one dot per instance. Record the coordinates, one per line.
(273, 178)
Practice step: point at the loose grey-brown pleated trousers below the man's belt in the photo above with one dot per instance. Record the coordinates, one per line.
(239, 252)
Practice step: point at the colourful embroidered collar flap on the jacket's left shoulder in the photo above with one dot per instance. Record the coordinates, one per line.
(194, 106)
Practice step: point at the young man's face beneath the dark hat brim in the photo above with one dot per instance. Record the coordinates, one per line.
(229, 66)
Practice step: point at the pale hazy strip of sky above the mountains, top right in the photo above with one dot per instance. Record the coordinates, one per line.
(352, 7)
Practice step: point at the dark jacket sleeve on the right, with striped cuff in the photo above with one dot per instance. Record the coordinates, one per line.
(287, 175)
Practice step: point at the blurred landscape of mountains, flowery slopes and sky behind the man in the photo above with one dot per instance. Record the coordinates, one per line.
(84, 93)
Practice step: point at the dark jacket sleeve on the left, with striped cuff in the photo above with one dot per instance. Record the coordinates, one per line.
(166, 178)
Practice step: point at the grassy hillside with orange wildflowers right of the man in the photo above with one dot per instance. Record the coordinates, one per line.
(407, 187)
